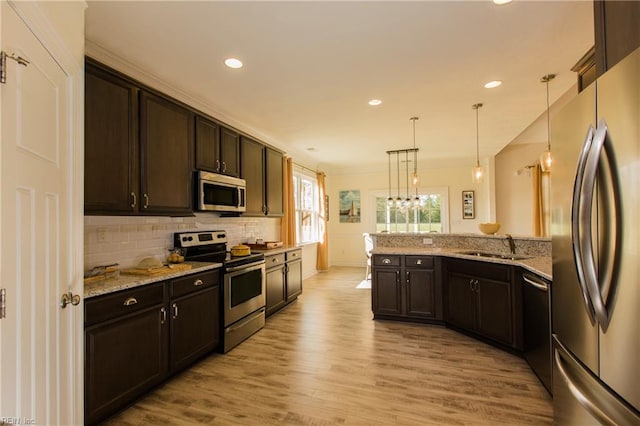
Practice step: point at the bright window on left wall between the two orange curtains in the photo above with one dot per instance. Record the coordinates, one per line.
(305, 190)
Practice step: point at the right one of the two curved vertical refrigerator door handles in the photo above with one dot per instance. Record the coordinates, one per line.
(586, 213)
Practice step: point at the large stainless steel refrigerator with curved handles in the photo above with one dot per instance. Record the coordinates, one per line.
(595, 187)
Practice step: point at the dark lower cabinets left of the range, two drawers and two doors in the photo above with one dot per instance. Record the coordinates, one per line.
(136, 338)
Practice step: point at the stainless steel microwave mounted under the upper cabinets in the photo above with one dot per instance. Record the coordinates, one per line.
(220, 193)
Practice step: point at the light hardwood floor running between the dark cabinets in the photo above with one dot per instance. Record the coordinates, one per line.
(324, 361)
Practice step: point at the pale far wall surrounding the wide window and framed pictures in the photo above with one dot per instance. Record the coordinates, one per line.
(346, 244)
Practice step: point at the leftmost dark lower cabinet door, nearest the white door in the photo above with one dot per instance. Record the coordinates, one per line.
(124, 358)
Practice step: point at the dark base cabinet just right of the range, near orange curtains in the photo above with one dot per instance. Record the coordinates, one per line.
(283, 279)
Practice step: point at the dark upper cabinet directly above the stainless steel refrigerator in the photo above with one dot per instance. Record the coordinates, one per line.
(617, 32)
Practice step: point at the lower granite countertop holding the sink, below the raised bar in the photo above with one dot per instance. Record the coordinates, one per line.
(541, 265)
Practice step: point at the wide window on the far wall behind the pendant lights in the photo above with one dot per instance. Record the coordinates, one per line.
(432, 215)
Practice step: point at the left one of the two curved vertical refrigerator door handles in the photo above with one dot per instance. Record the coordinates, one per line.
(576, 224)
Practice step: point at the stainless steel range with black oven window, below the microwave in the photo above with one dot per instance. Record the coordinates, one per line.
(243, 283)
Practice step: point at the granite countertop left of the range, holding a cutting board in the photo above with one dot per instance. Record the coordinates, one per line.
(124, 281)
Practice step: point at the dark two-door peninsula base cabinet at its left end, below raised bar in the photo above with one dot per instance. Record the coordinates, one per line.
(406, 288)
